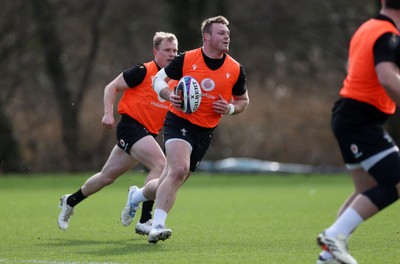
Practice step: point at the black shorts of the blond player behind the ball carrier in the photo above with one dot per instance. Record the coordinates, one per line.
(130, 131)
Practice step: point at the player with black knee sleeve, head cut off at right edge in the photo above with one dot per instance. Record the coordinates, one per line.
(369, 96)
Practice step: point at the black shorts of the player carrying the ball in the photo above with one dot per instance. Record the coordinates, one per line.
(198, 137)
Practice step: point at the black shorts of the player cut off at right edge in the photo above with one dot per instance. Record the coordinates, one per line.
(359, 130)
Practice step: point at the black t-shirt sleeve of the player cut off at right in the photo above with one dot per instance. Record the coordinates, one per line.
(387, 49)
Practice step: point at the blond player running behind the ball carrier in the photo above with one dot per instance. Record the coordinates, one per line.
(142, 116)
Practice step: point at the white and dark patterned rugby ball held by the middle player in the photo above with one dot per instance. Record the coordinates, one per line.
(190, 92)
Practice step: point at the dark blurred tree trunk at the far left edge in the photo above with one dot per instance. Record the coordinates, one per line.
(12, 39)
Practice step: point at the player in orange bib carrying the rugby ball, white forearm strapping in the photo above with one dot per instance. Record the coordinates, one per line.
(188, 136)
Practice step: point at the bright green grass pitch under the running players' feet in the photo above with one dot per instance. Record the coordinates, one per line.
(217, 219)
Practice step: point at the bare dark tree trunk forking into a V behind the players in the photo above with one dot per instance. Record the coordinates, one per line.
(69, 102)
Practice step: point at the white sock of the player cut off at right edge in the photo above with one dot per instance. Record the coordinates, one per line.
(345, 224)
